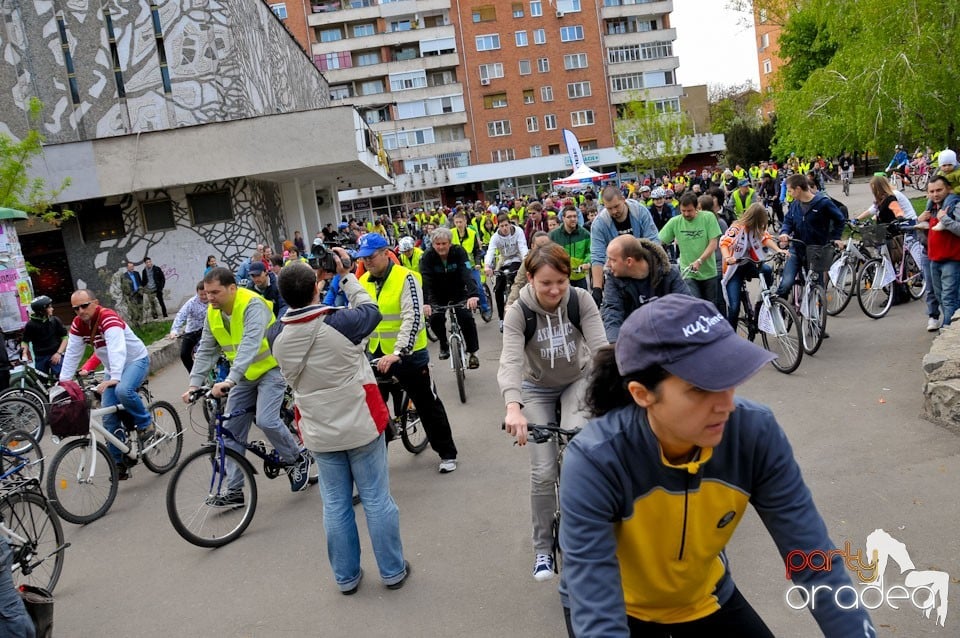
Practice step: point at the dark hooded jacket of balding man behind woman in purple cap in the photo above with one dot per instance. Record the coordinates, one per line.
(623, 295)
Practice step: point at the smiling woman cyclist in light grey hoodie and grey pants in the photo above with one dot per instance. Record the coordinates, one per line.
(542, 367)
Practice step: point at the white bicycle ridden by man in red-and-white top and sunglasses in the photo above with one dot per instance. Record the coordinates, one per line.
(79, 490)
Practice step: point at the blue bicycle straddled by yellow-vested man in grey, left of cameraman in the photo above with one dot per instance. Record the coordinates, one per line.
(202, 507)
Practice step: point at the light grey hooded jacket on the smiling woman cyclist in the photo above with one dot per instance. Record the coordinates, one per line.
(552, 357)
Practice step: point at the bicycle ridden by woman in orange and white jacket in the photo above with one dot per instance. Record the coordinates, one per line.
(773, 319)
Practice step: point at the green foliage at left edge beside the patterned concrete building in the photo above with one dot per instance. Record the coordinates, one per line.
(17, 190)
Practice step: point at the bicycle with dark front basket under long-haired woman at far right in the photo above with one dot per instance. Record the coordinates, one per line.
(878, 275)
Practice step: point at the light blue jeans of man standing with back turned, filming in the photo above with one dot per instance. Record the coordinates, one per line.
(367, 467)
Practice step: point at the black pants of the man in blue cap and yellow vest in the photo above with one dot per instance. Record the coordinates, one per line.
(413, 373)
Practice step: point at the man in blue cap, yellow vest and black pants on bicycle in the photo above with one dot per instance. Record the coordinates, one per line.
(400, 341)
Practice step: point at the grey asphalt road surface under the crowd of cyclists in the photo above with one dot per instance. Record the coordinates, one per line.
(851, 413)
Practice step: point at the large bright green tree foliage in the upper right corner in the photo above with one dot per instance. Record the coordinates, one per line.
(892, 78)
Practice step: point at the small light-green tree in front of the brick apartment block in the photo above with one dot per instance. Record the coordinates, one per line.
(650, 139)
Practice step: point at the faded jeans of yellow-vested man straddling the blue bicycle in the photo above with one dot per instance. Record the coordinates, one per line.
(267, 393)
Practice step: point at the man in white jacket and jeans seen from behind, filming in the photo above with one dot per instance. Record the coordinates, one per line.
(342, 418)
